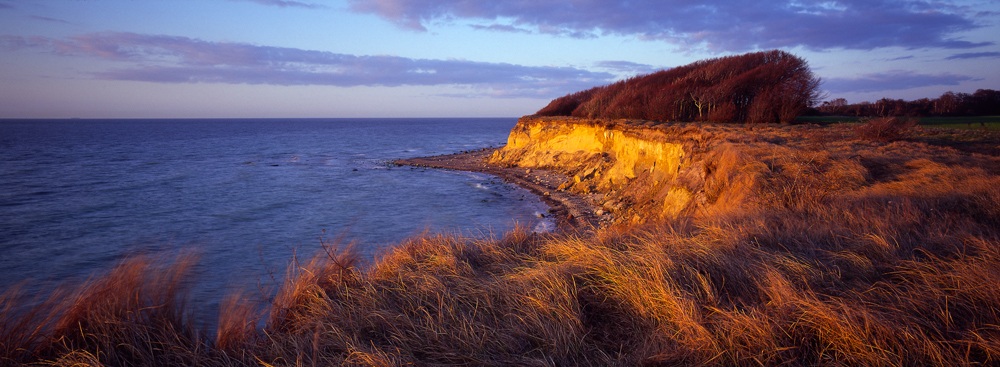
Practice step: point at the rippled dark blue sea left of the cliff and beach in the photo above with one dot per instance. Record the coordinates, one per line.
(78, 195)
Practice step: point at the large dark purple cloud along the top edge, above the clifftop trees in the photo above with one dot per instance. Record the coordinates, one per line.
(718, 25)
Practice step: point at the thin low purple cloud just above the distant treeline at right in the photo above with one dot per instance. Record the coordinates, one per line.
(891, 80)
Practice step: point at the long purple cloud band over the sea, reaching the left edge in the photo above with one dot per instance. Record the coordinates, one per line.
(172, 59)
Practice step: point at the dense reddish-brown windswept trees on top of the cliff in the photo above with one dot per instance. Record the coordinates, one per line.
(759, 87)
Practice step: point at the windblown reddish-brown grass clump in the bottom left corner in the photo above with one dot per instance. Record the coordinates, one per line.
(135, 314)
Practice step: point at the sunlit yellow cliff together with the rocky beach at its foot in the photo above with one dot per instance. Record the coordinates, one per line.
(593, 173)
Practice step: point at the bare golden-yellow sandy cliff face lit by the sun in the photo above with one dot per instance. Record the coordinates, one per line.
(634, 171)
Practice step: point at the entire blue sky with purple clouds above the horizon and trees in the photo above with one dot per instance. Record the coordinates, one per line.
(455, 58)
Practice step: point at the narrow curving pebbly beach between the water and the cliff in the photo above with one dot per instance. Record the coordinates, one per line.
(571, 212)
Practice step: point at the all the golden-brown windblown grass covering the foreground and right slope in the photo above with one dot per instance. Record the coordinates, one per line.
(822, 249)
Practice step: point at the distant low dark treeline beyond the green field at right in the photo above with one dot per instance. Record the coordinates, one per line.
(984, 102)
